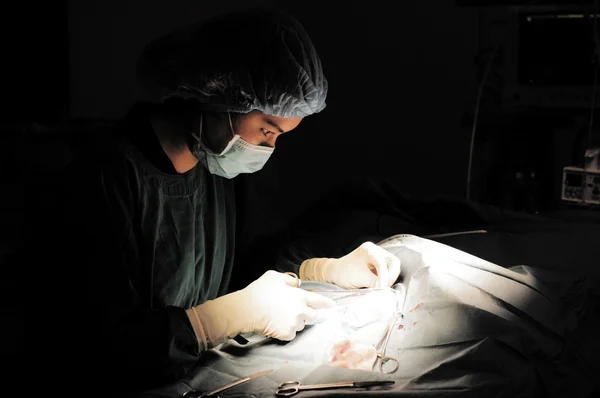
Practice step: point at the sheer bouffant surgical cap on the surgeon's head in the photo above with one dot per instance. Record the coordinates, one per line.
(238, 62)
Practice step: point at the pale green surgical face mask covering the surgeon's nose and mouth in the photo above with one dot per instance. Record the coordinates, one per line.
(238, 156)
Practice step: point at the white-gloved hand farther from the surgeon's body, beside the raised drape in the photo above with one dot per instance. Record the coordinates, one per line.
(367, 266)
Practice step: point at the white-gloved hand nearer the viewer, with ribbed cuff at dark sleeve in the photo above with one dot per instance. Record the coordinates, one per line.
(271, 306)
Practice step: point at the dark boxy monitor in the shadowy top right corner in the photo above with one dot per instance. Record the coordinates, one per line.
(549, 54)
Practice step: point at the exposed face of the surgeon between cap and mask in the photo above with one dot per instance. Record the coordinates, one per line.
(255, 128)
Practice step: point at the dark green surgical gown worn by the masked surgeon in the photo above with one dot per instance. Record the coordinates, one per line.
(149, 243)
